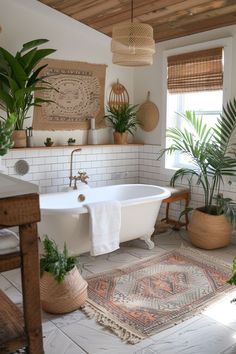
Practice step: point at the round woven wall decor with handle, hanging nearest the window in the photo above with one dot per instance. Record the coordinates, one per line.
(148, 115)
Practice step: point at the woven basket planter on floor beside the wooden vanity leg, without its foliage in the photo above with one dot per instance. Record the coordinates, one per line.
(67, 296)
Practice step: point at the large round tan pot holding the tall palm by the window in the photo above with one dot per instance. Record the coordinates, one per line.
(209, 231)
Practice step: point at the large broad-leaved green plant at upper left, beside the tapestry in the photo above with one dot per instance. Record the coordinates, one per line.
(20, 79)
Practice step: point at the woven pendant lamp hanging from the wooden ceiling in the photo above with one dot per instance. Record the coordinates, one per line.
(132, 43)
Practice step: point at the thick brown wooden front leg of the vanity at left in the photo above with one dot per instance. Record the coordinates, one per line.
(30, 287)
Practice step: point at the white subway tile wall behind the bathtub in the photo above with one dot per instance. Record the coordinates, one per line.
(105, 165)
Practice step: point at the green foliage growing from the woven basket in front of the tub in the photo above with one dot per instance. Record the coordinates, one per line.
(54, 261)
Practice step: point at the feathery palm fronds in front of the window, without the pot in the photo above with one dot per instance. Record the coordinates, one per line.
(212, 154)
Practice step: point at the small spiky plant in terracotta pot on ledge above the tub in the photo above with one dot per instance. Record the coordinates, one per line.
(123, 120)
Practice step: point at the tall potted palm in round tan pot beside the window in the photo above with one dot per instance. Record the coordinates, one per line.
(212, 155)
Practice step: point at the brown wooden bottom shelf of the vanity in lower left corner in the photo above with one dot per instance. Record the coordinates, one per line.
(12, 335)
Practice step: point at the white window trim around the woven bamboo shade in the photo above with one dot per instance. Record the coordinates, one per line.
(226, 43)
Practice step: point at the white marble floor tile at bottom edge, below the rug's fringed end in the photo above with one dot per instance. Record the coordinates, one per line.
(95, 339)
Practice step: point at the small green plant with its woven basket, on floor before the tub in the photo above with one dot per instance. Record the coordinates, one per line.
(62, 287)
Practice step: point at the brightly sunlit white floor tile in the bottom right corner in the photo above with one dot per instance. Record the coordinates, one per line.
(204, 336)
